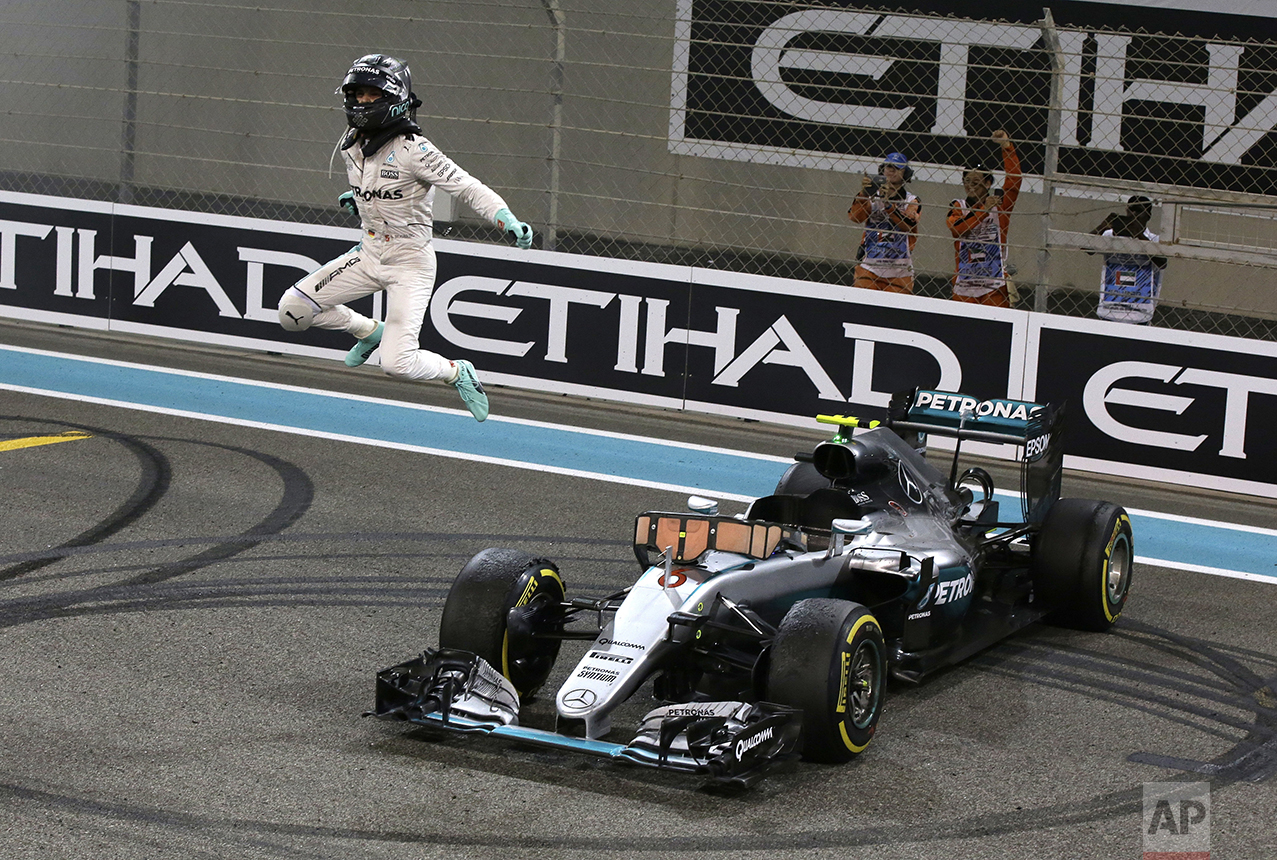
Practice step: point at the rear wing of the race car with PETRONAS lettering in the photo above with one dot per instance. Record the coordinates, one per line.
(1036, 429)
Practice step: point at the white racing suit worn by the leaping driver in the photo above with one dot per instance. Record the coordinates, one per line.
(395, 191)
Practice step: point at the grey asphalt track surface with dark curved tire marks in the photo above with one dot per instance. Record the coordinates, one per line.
(192, 615)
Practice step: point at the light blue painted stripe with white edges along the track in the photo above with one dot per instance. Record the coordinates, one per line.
(1193, 545)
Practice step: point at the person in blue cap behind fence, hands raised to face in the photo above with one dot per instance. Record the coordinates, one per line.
(891, 218)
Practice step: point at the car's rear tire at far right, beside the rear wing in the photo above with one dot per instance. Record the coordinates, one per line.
(1082, 563)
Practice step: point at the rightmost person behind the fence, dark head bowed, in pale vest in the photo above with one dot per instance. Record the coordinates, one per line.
(1131, 284)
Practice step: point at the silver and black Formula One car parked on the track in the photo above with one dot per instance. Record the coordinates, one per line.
(773, 633)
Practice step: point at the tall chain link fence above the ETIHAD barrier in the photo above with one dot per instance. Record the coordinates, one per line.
(729, 135)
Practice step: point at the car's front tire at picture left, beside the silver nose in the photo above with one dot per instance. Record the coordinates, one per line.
(500, 600)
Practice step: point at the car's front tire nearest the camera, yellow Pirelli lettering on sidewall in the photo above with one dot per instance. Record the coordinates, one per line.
(831, 661)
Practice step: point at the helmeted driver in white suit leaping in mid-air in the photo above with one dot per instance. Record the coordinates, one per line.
(394, 172)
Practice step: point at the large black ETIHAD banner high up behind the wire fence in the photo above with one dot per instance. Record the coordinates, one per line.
(787, 77)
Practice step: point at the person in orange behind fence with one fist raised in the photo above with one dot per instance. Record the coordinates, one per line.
(980, 226)
